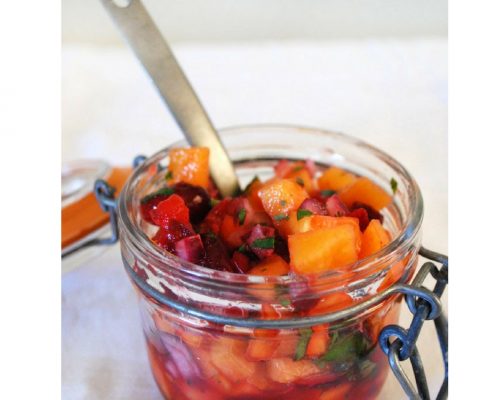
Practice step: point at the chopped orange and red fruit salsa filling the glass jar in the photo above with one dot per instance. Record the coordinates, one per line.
(305, 221)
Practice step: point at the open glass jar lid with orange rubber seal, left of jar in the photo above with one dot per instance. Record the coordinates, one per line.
(82, 216)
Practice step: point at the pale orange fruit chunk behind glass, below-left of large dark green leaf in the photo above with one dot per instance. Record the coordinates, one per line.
(286, 370)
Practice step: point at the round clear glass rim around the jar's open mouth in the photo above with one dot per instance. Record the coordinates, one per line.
(361, 268)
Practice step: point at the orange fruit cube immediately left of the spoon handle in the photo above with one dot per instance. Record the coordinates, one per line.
(189, 165)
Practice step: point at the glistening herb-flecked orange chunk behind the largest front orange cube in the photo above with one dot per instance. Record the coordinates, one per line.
(281, 196)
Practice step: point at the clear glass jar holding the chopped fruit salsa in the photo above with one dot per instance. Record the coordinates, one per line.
(219, 335)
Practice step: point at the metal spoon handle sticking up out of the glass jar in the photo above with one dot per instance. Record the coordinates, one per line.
(154, 53)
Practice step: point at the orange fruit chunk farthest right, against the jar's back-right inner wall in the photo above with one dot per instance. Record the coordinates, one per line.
(365, 191)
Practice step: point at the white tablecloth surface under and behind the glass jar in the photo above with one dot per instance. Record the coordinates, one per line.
(390, 93)
